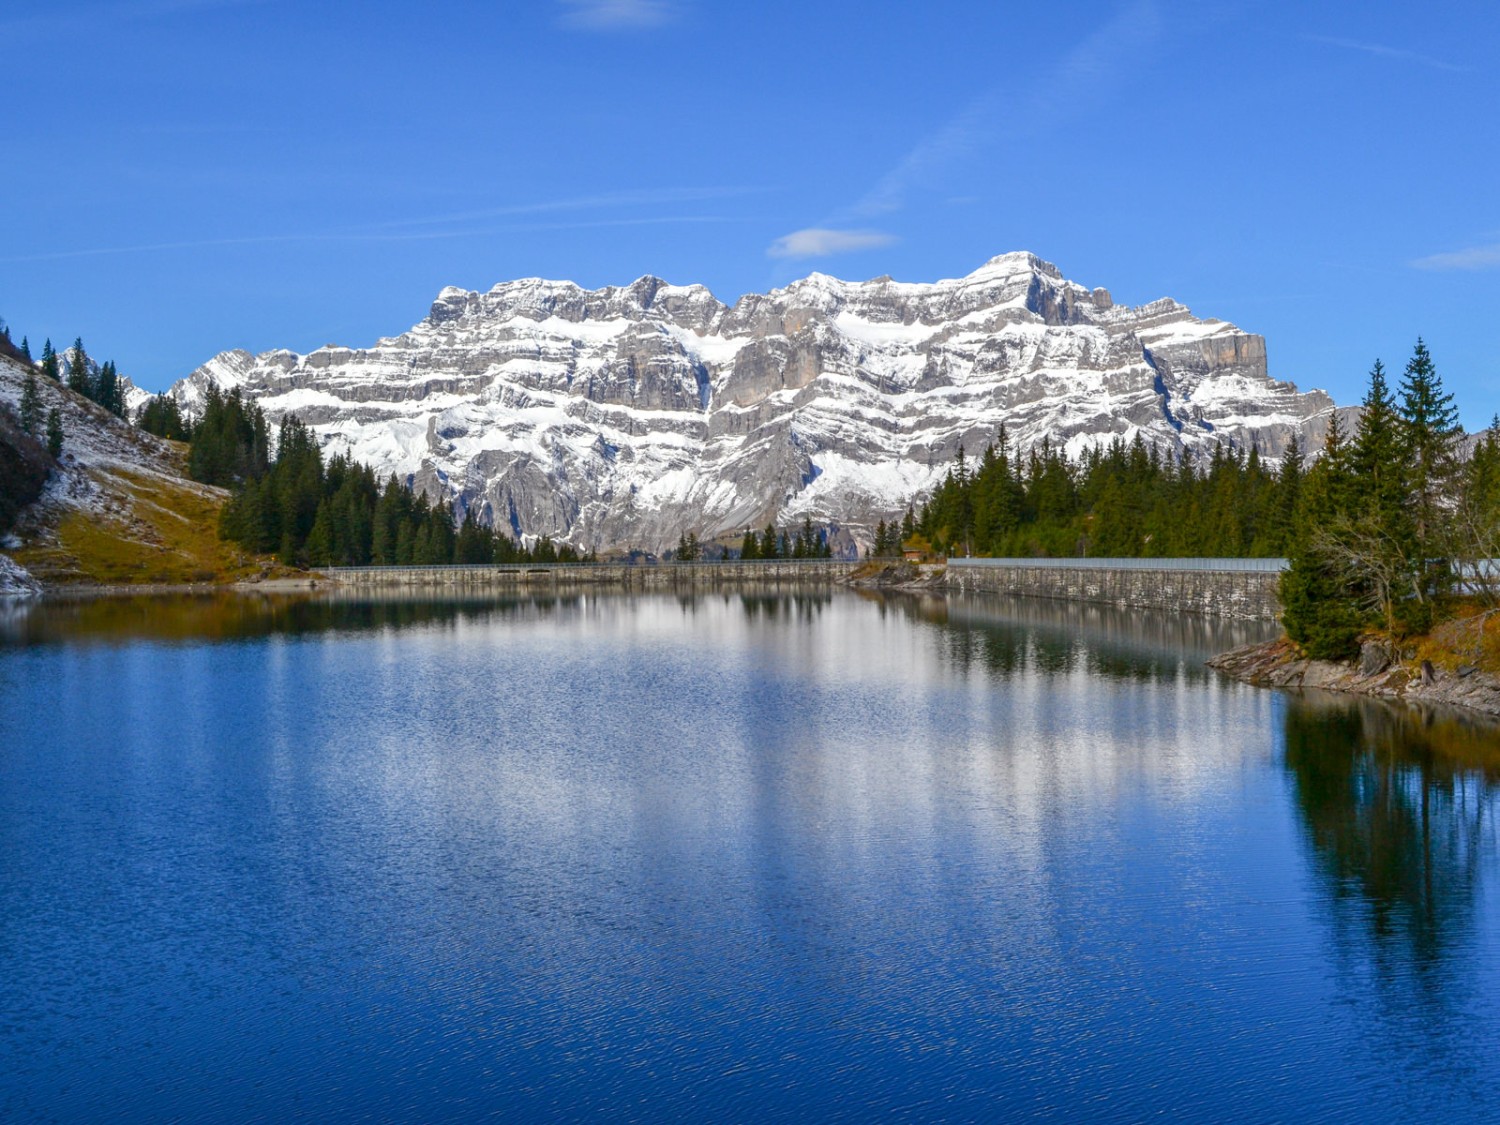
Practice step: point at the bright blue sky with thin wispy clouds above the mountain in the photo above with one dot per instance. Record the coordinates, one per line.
(200, 175)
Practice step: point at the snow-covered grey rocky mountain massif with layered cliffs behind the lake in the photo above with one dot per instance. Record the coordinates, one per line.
(629, 415)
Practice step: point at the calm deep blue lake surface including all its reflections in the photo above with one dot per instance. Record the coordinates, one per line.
(742, 857)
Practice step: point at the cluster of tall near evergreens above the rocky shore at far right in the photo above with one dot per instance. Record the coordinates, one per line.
(1391, 518)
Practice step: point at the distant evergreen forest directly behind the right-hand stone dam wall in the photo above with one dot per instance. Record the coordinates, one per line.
(1118, 500)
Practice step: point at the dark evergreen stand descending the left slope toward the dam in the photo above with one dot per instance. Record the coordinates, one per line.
(332, 514)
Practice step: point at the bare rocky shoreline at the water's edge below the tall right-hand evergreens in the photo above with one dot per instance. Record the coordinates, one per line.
(1379, 673)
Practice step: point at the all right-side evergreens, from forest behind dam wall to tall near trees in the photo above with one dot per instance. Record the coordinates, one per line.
(1385, 532)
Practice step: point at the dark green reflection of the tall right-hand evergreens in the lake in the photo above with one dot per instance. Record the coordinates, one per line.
(1399, 809)
